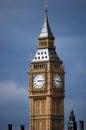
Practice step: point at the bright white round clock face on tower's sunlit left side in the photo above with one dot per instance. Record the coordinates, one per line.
(39, 81)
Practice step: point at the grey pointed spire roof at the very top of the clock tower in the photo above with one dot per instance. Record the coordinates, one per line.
(46, 31)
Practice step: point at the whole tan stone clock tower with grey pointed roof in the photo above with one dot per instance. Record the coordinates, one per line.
(46, 84)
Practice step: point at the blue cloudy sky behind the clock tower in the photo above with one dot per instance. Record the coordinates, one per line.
(20, 23)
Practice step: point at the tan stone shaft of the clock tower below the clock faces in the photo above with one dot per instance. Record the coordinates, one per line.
(46, 113)
